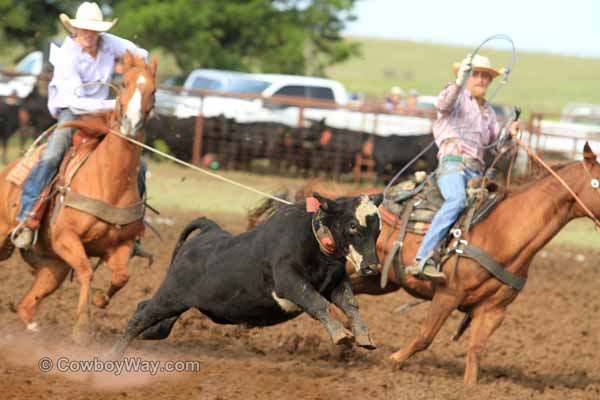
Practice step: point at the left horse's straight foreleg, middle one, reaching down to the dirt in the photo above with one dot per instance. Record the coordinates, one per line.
(69, 247)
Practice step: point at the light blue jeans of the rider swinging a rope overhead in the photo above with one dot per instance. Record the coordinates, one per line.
(452, 180)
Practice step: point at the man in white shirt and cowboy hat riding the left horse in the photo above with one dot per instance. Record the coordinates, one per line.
(88, 55)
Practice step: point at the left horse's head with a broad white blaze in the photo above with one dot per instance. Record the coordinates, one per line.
(136, 100)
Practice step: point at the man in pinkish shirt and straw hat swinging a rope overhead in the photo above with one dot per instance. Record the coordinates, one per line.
(466, 123)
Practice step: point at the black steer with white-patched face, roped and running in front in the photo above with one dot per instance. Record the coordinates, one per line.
(270, 274)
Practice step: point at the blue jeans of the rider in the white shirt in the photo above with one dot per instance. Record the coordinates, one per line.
(46, 168)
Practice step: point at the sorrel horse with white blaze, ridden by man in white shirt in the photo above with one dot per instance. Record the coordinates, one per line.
(108, 175)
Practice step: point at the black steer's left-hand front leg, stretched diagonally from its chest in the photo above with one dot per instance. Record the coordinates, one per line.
(293, 287)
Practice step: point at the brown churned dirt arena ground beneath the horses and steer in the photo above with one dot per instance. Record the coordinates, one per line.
(547, 348)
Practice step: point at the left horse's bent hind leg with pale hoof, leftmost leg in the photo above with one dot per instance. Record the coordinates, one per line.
(49, 275)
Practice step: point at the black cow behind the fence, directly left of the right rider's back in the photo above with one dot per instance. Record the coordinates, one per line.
(392, 153)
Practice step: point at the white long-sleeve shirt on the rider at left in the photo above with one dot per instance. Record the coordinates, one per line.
(73, 67)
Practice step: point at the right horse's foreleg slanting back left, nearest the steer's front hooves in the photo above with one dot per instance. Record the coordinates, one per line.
(442, 305)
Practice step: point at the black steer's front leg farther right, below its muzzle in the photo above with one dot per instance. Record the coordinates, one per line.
(343, 297)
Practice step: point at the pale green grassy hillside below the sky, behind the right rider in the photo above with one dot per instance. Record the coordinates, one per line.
(539, 82)
